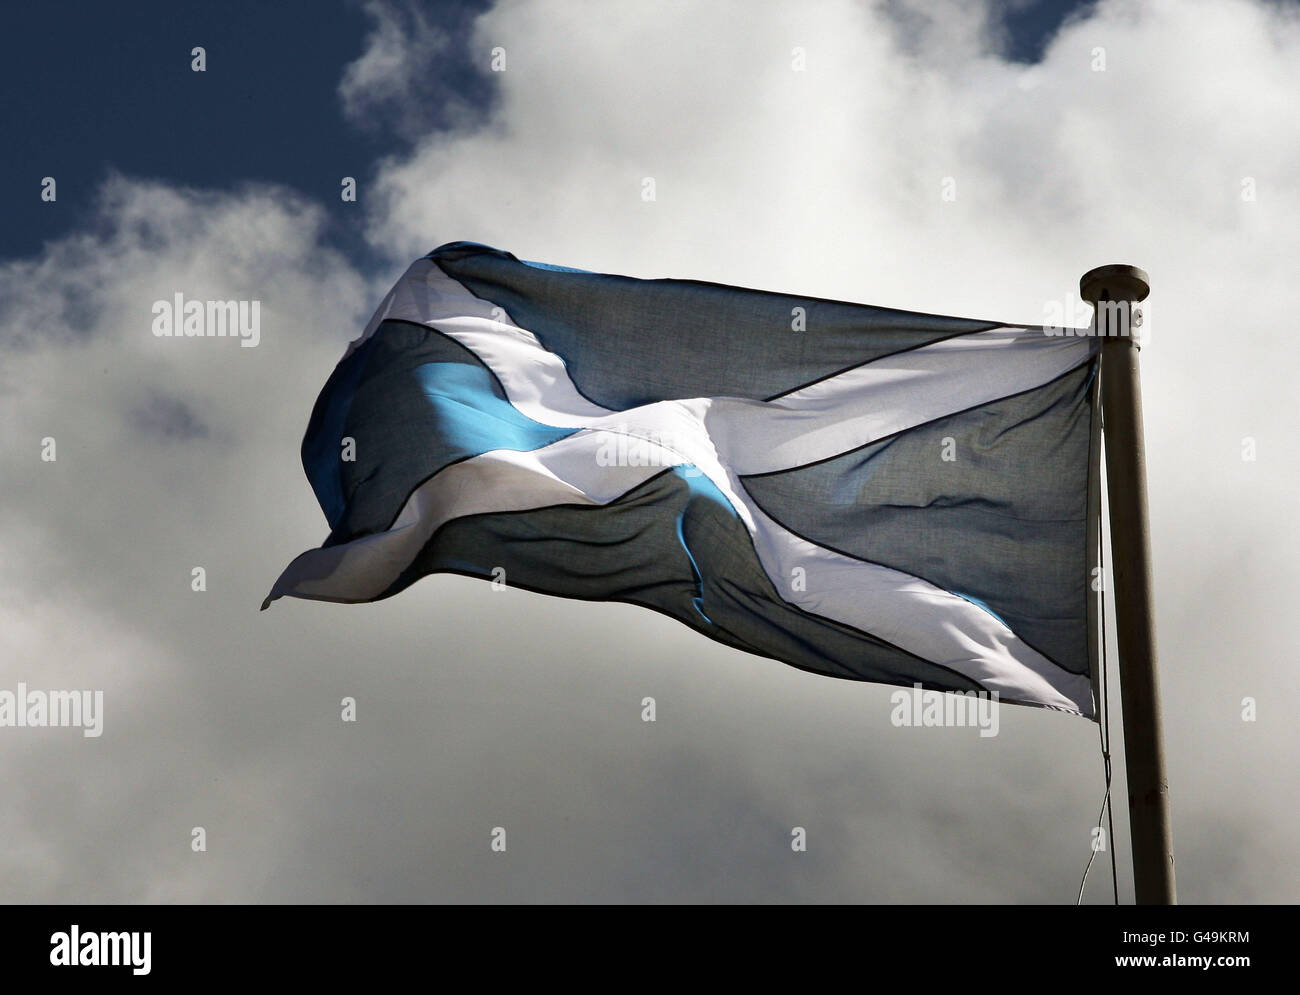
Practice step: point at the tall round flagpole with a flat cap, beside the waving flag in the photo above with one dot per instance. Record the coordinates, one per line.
(1113, 291)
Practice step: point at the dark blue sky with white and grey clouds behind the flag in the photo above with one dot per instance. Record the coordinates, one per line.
(952, 158)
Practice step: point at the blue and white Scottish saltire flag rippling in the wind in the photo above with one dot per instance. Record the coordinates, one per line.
(860, 492)
